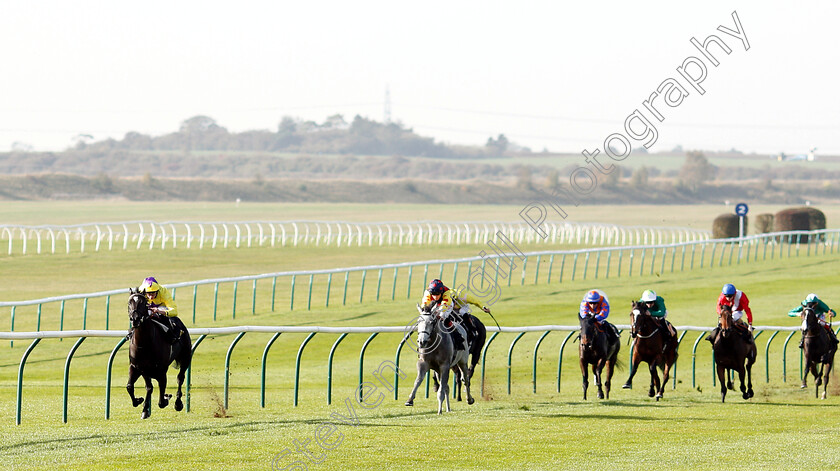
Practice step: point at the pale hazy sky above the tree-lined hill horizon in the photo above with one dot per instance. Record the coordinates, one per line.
(547, 74)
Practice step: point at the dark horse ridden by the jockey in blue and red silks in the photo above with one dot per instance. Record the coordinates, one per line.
(598, 351)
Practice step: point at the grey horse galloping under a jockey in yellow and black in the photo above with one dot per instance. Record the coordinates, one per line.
(441, 348)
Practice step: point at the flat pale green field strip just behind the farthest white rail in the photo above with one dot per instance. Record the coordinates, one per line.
(72, 212)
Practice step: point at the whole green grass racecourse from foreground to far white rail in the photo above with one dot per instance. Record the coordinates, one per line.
(782, 427)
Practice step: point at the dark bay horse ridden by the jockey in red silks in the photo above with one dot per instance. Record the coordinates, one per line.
(731, 352)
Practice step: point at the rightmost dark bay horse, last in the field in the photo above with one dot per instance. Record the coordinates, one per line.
(819, 349)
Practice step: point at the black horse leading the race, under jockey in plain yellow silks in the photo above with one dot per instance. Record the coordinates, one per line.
(150, 354)
